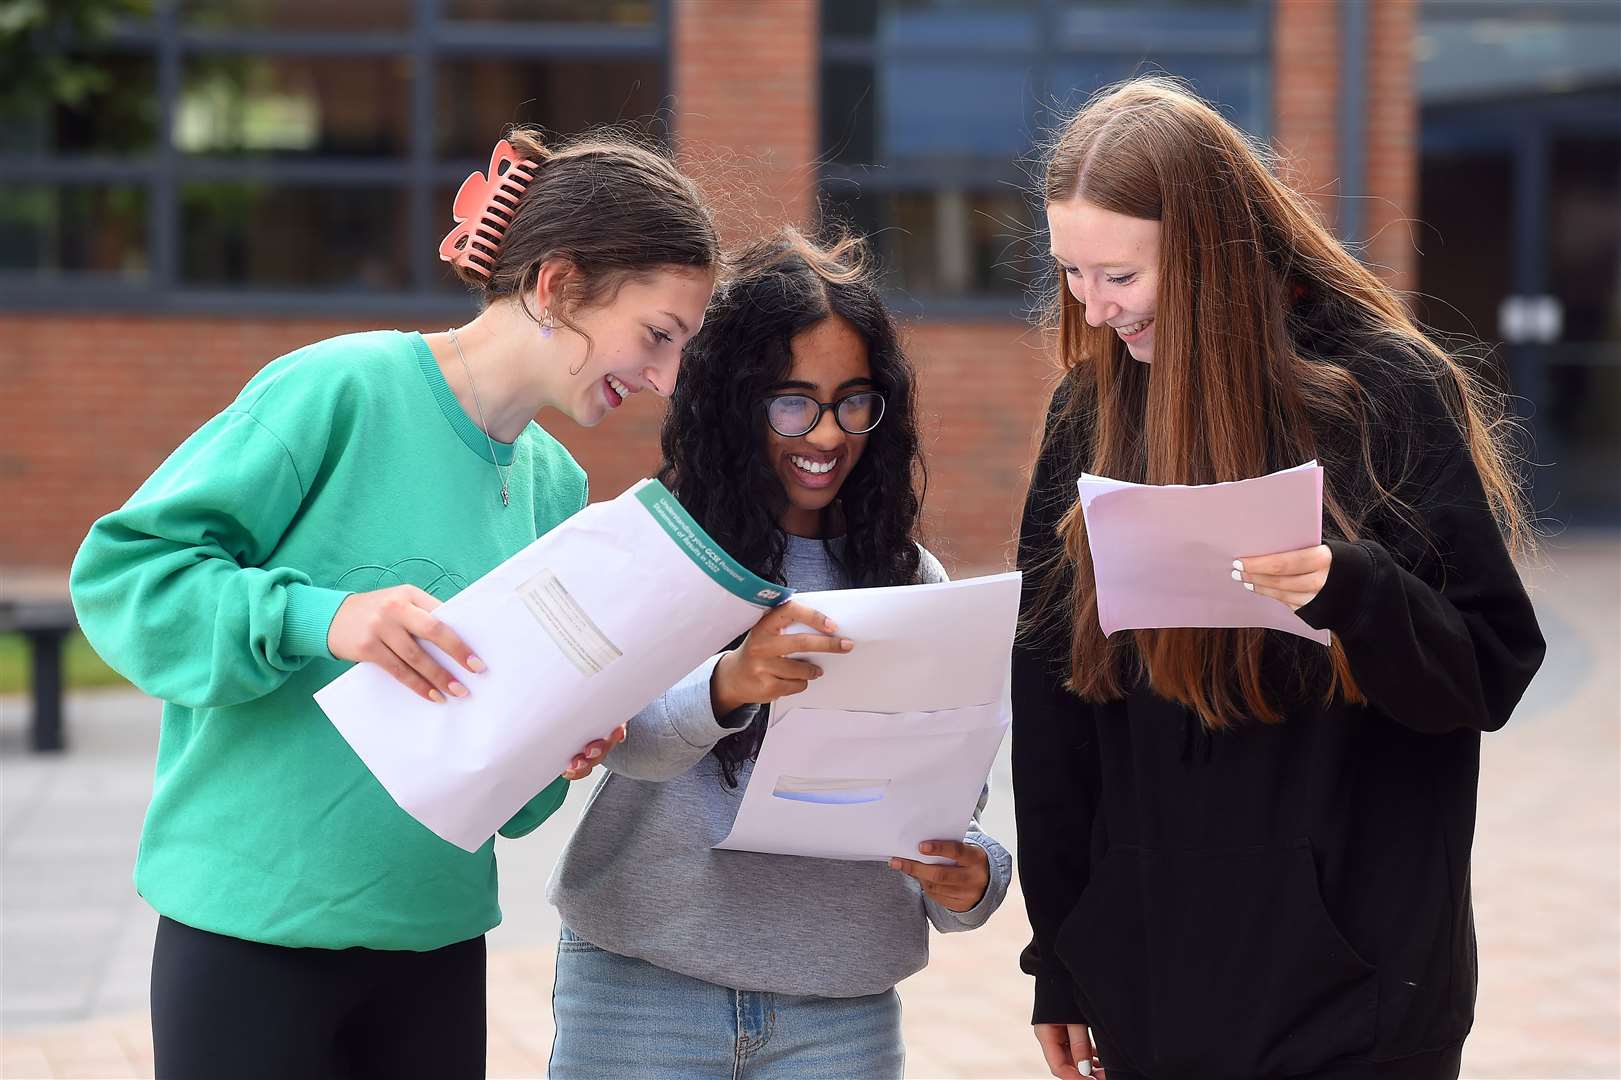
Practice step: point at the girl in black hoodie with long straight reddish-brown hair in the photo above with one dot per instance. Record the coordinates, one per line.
(1247, 855)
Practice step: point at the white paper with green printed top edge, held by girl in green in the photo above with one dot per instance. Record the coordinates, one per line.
(580, 632)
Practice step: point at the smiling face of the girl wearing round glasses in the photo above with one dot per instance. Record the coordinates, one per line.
(829, 364)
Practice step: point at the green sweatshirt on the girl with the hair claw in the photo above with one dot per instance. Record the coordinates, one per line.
(343, 468)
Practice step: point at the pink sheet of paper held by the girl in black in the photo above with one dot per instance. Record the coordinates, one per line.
(1163, 555)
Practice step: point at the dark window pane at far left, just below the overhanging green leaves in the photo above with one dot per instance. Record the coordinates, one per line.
(111, 111)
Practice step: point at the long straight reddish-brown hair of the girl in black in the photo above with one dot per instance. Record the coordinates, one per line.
(1247, 278)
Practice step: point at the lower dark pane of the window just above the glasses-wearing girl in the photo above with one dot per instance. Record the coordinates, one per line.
(951, 242)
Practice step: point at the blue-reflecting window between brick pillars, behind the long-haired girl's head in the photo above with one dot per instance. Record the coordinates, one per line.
(933, 113)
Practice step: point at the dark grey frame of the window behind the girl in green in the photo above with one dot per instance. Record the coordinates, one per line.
(430, 40)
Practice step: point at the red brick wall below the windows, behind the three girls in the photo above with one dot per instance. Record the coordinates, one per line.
(95, 405)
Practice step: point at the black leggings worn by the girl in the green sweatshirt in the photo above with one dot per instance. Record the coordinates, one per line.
(231, 1008)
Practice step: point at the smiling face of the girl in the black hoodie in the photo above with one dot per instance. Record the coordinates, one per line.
(1111, 267)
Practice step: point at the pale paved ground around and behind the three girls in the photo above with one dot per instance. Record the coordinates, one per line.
(75, 941)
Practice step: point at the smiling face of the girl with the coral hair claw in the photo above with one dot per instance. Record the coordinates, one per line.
(635, 343)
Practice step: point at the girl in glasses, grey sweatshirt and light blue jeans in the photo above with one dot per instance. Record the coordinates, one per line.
(792, 439)
